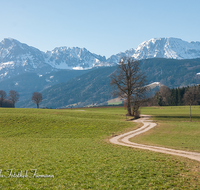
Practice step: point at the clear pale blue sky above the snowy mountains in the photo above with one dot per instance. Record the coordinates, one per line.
(104, 27)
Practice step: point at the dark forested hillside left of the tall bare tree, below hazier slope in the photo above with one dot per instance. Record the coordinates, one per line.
(90, 88)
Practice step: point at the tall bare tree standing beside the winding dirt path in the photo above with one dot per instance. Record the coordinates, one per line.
(129, 82)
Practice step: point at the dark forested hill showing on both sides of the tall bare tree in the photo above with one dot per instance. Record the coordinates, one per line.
(94, 87)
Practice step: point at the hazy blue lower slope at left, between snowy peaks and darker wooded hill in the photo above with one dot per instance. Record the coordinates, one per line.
(27, 83)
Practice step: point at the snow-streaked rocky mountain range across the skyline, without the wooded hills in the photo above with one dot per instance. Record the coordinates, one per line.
(17, 58)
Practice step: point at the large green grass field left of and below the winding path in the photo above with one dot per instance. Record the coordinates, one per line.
(71, 146)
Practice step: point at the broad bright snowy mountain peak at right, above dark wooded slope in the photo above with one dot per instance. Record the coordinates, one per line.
(174, 48)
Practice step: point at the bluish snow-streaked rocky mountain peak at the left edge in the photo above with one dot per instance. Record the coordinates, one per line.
(17, 58)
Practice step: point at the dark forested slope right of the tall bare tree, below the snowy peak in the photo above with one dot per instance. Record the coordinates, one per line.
(172, 72)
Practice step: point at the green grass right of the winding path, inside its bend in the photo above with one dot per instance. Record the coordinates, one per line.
(174, 128)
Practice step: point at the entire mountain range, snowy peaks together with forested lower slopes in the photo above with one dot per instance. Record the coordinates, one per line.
(26, 69)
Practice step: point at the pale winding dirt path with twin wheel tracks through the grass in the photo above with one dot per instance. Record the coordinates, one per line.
(123, 140)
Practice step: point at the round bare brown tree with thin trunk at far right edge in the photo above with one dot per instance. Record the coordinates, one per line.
(192, 97)
